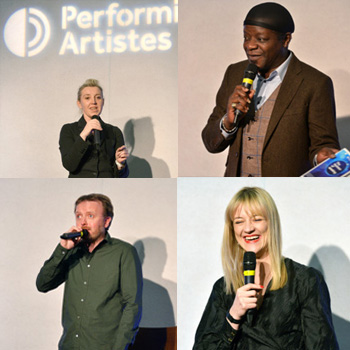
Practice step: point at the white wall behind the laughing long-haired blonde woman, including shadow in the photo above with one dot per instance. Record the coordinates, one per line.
(315, 229)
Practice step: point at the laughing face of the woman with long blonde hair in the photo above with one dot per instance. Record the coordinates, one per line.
(251, 231)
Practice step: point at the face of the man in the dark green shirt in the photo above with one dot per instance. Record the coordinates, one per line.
(90, 215)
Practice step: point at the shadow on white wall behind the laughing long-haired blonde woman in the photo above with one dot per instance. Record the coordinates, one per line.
(335, 266)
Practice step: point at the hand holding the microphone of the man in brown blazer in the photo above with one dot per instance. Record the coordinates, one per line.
(240, 99)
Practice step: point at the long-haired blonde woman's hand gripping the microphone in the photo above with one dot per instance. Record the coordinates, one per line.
(246, 298)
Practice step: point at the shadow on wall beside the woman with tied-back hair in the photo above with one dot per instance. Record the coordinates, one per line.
(140, 141)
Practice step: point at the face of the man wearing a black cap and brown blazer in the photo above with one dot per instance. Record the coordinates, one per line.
(265, 48)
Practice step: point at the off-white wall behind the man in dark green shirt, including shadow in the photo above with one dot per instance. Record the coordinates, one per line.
(33, 213)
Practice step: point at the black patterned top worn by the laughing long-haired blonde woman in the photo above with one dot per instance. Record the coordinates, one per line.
(295, 317)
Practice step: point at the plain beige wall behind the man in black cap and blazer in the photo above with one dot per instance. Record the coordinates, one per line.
(211, 38)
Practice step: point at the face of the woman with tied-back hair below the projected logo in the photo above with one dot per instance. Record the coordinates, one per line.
(91, 101)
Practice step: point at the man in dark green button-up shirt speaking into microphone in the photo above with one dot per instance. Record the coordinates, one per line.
(103, 282)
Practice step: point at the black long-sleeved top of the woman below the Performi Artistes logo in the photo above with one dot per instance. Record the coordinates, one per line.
(82, 158)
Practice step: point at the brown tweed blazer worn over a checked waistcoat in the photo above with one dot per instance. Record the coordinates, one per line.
(302, 122)
